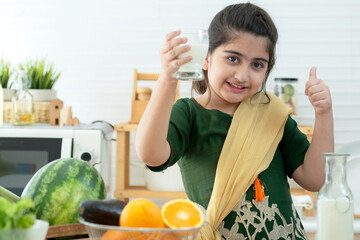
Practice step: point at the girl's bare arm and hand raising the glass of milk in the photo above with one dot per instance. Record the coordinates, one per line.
(150, 143)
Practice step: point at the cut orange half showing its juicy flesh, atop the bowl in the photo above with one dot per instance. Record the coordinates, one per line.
(181, 213)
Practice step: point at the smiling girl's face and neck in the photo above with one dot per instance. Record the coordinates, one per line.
(236, 70)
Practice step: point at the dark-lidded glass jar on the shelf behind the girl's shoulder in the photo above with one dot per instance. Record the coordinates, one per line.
(285, 89)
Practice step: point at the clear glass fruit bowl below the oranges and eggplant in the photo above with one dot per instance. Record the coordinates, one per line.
(107, 232)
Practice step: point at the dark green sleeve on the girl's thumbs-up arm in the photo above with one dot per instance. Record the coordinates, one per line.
(293, 146)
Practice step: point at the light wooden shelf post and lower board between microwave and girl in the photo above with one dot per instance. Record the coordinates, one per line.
(123, 189)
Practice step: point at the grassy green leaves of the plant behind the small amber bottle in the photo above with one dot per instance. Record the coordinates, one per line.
(40, 74)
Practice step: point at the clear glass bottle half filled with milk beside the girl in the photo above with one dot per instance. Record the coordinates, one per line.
(335, 204)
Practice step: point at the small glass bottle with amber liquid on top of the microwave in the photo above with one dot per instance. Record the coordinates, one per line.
(23, 103)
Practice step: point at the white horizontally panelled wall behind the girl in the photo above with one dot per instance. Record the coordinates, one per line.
(97, 44)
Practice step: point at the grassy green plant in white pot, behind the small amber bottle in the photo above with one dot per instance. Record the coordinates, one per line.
(42, 77)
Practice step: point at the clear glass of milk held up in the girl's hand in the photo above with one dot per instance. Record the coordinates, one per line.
(199, 41)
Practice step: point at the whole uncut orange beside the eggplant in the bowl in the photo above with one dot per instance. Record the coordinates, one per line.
(141, 213)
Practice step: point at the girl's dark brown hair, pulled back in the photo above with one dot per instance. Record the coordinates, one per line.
(234, 19)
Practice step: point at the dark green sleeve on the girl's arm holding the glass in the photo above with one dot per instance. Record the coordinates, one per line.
(178, 133)
